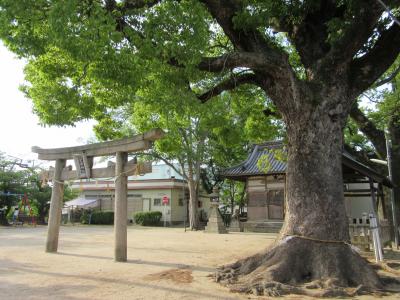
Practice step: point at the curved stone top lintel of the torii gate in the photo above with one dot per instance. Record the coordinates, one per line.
(135, 143)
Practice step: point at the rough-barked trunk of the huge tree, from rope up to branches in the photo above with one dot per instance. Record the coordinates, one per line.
(315, 202)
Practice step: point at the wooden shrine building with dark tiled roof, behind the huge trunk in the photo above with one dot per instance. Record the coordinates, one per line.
(266, 190)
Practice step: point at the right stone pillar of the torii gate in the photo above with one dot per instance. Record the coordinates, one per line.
(121, 207)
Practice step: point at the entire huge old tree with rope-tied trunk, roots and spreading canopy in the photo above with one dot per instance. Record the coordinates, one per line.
(89, 56)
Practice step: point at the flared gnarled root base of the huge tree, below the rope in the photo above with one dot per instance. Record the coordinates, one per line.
(304, 267)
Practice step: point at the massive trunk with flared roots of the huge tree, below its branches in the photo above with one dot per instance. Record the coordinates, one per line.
(313, 246)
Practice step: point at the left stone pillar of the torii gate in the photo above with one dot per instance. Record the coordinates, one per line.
(56, 203)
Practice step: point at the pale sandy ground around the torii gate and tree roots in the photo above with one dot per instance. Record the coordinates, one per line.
(163, 263)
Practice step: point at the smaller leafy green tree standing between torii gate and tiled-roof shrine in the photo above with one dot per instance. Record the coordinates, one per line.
(215, 134)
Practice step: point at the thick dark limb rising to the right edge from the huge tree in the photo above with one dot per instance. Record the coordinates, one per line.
(364, 71)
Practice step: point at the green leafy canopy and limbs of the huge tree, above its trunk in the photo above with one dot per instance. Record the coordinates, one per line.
(88, 56)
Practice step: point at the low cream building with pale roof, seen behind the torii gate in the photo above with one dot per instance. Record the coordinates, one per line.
(145, 193)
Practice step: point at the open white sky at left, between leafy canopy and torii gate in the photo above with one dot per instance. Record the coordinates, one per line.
(19, 127)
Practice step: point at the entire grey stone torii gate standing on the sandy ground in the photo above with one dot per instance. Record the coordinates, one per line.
(83, 157)
